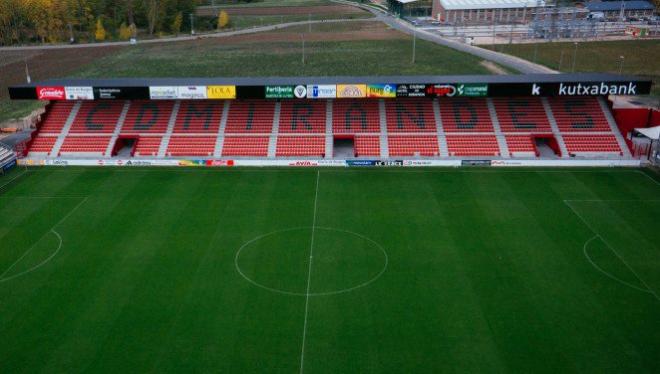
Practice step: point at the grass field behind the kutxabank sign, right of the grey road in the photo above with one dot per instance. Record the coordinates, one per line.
(601, 57)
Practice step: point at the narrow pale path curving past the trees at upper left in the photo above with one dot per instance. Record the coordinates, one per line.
(252, 30)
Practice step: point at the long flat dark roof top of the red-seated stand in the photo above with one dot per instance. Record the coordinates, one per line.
(409, 79)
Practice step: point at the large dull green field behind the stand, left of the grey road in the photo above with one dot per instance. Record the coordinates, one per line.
(373, 57)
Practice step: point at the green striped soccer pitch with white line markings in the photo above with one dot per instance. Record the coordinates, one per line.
(329, 271)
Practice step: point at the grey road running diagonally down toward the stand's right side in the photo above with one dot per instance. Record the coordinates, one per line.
(508, 61)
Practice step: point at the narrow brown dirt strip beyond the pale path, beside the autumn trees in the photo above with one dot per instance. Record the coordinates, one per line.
(280, 10)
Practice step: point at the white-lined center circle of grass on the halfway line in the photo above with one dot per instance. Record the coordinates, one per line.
(341, 261)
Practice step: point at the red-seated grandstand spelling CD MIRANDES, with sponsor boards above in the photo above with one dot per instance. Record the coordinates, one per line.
(499, 120)
